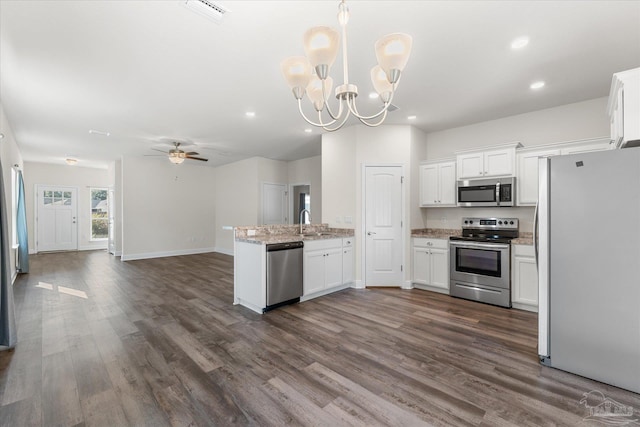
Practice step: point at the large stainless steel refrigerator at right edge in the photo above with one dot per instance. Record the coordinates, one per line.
(588, 253)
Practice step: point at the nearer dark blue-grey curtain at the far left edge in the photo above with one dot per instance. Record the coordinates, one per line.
(8, 335)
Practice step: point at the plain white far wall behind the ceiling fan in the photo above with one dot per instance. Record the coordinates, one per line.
(167, 209)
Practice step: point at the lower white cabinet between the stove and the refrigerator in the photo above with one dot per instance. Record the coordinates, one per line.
(524, 278)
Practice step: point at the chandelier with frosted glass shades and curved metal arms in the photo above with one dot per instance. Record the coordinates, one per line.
(310, 74)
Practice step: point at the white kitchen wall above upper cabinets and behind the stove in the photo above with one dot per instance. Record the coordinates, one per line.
(582, 120)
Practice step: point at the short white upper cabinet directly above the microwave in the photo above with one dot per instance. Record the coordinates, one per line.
(496, 162)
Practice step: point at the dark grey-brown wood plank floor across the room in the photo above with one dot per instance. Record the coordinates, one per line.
(158, 342)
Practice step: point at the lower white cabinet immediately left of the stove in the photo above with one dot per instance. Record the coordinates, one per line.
(430, 264)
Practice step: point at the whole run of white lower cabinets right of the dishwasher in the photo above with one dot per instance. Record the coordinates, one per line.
(327, 266)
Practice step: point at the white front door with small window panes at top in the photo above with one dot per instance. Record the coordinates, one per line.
(57, 218)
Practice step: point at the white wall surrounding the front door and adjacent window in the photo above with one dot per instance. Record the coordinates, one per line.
(66, 176)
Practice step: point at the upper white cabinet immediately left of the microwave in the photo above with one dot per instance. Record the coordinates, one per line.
(438, 184)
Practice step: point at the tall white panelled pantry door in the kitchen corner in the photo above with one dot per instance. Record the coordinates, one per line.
(383, 226)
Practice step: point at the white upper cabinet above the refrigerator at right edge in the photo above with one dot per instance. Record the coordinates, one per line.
(624, 107)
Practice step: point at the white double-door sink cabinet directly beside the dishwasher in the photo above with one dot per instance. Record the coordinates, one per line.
(322, 266)
